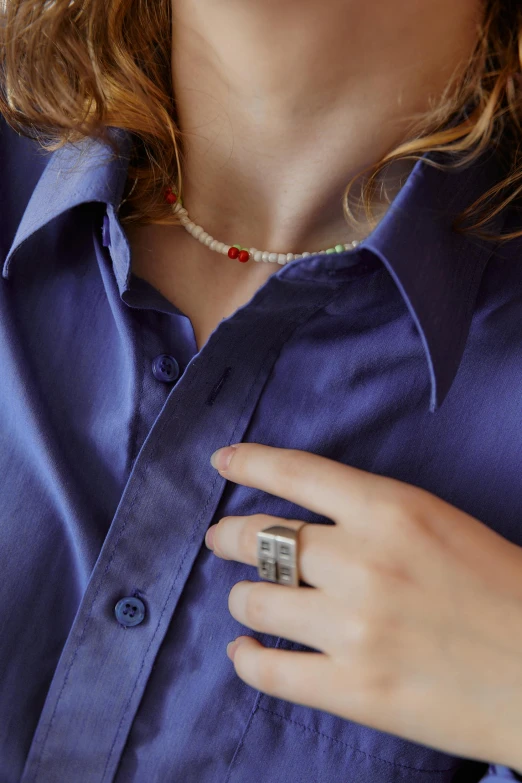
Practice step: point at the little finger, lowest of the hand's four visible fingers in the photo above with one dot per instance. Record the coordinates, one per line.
(298, 677)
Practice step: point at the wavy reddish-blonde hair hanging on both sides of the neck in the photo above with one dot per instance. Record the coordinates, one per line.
(70, 70)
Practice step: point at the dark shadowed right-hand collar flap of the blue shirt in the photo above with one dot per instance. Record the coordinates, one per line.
(437, 271)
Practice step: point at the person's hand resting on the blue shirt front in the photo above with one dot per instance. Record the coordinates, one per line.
(415, 606)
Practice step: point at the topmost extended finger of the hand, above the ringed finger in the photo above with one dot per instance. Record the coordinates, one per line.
(317, 483)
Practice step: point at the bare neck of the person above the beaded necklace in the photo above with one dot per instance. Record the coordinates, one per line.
(282, 102)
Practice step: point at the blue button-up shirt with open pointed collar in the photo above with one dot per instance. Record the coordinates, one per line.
(402, 357)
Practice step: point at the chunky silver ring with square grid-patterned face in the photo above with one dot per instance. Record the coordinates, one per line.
(277, 555)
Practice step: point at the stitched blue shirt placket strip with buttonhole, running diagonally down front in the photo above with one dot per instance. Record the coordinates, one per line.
(147, 546)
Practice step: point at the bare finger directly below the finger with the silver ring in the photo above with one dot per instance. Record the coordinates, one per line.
(302, 615)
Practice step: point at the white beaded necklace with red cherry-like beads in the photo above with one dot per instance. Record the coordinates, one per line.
(242, 254)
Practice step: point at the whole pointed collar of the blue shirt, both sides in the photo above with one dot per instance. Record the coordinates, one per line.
(437, 271)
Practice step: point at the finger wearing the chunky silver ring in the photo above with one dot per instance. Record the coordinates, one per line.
(235, 538)
